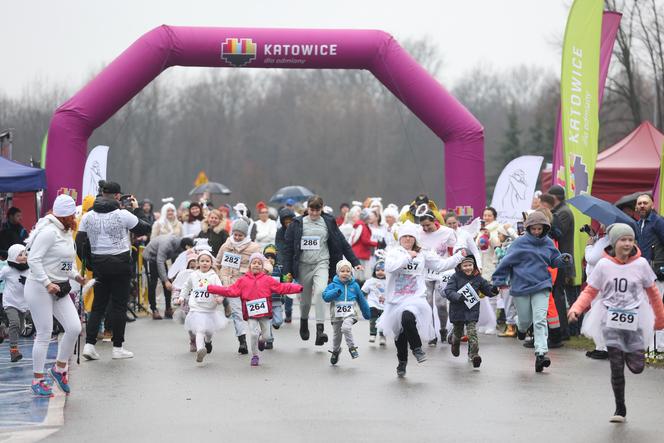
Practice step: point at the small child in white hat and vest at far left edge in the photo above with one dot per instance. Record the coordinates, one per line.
(13, 299)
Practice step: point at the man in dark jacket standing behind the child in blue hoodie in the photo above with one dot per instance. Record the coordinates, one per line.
(564, 290)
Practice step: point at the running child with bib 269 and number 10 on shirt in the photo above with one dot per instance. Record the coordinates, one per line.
(622, 317)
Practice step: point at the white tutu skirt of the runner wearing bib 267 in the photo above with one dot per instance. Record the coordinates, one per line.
(390, 320)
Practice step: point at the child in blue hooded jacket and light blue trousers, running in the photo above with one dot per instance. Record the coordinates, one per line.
(526, 267)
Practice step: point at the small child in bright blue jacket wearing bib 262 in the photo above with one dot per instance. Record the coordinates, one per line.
(343, 294)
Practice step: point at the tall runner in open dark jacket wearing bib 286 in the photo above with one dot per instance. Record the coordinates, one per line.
(313, 246)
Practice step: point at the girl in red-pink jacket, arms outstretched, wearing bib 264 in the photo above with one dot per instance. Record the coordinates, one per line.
(255, 289)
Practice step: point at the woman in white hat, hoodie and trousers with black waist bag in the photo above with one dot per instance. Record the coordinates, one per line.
(52, 262)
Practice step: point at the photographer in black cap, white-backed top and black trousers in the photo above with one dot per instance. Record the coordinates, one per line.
(103, 243)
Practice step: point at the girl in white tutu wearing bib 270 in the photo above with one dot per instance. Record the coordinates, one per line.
(203, 319)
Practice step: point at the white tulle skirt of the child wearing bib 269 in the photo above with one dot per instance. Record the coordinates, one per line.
(594, 326)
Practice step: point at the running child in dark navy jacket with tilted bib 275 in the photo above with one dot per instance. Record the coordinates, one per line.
(463, 291)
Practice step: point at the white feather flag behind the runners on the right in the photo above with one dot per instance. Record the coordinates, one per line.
(516, 187)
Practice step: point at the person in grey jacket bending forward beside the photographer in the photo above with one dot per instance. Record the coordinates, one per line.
(156, 254)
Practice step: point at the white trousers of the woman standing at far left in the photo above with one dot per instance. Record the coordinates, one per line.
(43, 307)
